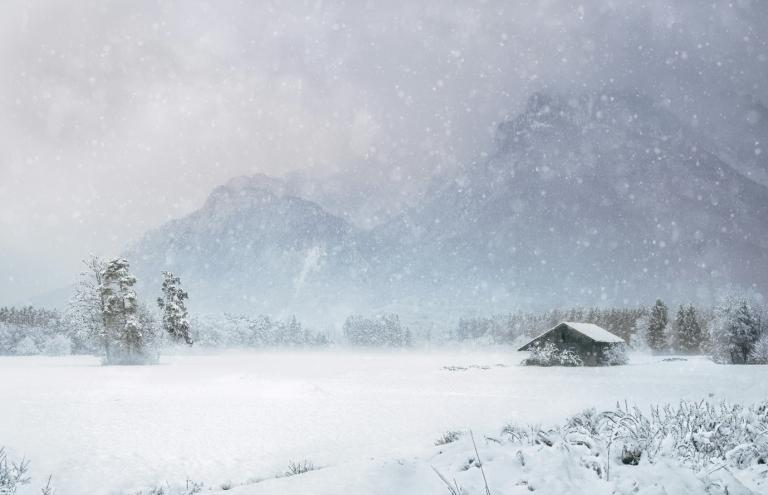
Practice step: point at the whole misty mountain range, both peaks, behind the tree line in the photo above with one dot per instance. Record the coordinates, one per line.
(588, 199)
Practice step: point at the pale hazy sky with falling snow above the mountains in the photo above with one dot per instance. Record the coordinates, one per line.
(118, 115)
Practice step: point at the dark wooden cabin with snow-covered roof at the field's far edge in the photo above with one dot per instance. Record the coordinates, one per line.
(587, 340)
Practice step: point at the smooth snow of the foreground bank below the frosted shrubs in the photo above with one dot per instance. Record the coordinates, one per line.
(547, 470)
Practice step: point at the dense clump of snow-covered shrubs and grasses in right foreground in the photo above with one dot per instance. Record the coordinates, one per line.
(703, 437)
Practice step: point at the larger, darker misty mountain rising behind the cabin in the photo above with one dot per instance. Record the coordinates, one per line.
(588, 199)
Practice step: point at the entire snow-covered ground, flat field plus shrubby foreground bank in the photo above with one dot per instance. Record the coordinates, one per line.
(394, 419)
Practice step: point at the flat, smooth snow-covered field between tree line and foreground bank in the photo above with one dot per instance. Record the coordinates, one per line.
(243, 416)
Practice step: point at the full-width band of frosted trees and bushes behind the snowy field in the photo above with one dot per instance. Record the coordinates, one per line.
(107, 318)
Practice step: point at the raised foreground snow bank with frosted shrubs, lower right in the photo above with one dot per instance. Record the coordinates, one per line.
(694, 448)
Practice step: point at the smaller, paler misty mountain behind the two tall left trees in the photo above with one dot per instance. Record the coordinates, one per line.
(254, 247)
